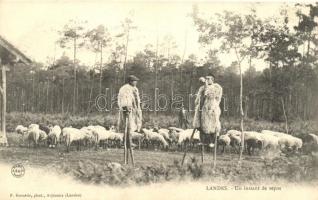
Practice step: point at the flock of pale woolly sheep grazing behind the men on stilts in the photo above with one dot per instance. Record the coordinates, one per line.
(96, 136)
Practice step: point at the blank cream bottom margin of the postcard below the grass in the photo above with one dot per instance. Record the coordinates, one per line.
(36, 181)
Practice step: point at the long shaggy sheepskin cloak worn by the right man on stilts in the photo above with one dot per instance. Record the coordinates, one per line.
(207, 109)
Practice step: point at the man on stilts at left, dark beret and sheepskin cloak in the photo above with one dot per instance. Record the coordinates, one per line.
(130, 115)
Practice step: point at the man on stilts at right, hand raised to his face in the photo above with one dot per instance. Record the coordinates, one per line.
(207, 114)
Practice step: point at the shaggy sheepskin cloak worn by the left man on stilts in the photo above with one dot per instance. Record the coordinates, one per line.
(129, 96)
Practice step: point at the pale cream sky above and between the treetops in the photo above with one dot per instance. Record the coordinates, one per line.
(33, 25)
